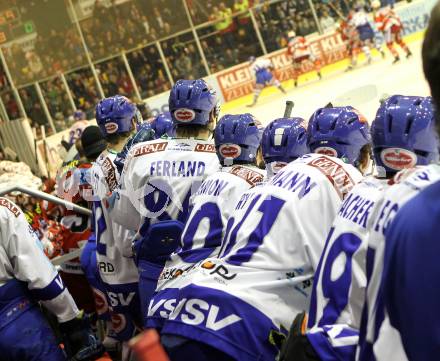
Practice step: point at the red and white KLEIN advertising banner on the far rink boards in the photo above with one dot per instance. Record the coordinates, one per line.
(239, 81)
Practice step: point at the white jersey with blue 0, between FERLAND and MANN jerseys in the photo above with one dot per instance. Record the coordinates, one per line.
(211, 206)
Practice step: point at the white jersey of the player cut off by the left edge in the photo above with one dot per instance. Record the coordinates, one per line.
(22, 259)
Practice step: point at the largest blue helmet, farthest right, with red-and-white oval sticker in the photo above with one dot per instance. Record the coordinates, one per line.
(404, 133)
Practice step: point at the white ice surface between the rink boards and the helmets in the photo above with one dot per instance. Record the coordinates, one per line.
(362, 88)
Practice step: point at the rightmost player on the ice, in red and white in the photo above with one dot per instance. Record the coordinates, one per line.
(390, 24)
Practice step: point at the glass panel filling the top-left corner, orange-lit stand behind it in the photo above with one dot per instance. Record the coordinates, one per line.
(36, 43)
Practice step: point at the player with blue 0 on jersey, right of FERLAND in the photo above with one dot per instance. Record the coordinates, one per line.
(237, 139)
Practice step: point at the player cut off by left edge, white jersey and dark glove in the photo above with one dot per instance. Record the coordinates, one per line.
(26, 278)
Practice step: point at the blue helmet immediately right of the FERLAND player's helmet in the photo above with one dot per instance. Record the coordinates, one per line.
(237, 138)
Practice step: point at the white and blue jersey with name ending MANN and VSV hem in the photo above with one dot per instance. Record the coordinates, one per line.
(272, 246)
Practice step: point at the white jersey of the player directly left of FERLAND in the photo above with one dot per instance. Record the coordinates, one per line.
(112, 239)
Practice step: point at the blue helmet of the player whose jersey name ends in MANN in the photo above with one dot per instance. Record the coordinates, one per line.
(339, 132)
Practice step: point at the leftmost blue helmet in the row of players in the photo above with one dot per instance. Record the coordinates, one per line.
(114, 115)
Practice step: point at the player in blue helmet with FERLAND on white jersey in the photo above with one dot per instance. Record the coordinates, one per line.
(160, 176)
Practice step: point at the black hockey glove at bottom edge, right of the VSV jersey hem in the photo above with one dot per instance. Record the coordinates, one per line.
(297, 346)
